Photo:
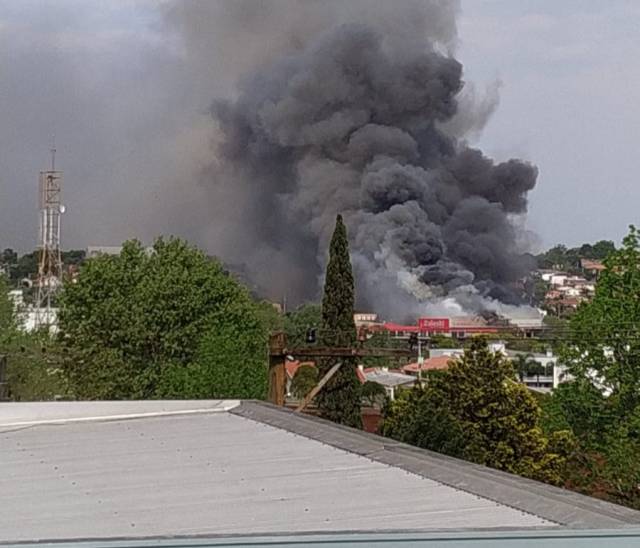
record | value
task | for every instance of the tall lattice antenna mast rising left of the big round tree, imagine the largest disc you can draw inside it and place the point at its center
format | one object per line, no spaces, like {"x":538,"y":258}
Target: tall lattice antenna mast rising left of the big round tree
{"x":50,"y":259}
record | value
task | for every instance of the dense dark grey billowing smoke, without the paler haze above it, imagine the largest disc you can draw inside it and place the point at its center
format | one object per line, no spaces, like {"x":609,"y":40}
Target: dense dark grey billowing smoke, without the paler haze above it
{"x":355,"y":123}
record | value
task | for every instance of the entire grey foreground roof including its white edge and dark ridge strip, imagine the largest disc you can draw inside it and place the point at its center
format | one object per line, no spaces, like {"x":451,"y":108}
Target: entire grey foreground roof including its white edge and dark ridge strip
{"x":82,"y":470}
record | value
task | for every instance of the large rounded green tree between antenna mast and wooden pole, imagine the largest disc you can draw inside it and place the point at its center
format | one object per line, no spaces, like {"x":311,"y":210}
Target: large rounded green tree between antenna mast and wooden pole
{"x":162,"y":323}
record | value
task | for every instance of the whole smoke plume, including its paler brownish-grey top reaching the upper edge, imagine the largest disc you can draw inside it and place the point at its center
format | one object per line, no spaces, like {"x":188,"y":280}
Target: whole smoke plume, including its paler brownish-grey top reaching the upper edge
{"x":358,"y":108}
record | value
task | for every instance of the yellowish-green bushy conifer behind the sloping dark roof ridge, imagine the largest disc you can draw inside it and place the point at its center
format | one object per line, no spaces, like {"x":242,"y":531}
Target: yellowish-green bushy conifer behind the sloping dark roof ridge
{"x":476,"y":410}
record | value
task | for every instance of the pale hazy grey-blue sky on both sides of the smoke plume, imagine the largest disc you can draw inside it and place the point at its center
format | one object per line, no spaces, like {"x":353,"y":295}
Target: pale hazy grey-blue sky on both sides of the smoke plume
{"x":109,"y":79}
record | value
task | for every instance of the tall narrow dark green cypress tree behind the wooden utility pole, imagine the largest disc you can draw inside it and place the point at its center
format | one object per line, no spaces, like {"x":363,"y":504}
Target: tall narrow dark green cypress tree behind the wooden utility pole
{"x":339,"y":400}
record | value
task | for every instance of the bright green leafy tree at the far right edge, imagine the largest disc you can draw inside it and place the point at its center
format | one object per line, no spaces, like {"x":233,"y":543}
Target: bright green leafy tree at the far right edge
{"x":601,"y":405}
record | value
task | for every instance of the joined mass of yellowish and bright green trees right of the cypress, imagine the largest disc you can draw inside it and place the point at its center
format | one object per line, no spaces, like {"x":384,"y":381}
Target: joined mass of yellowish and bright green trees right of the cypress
{"x":584,"y":436}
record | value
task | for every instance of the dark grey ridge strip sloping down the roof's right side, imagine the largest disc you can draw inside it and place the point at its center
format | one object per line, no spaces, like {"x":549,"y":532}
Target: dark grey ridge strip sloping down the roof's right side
{"x":561,"y":506}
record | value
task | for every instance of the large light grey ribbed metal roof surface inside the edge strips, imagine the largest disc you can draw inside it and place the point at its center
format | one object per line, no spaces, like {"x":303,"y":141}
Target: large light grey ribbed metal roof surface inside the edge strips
{"x":214,"y":473}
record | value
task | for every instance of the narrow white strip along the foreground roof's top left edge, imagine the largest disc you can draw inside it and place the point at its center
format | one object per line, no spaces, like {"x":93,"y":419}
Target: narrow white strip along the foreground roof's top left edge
{"x":17,"y":414}
